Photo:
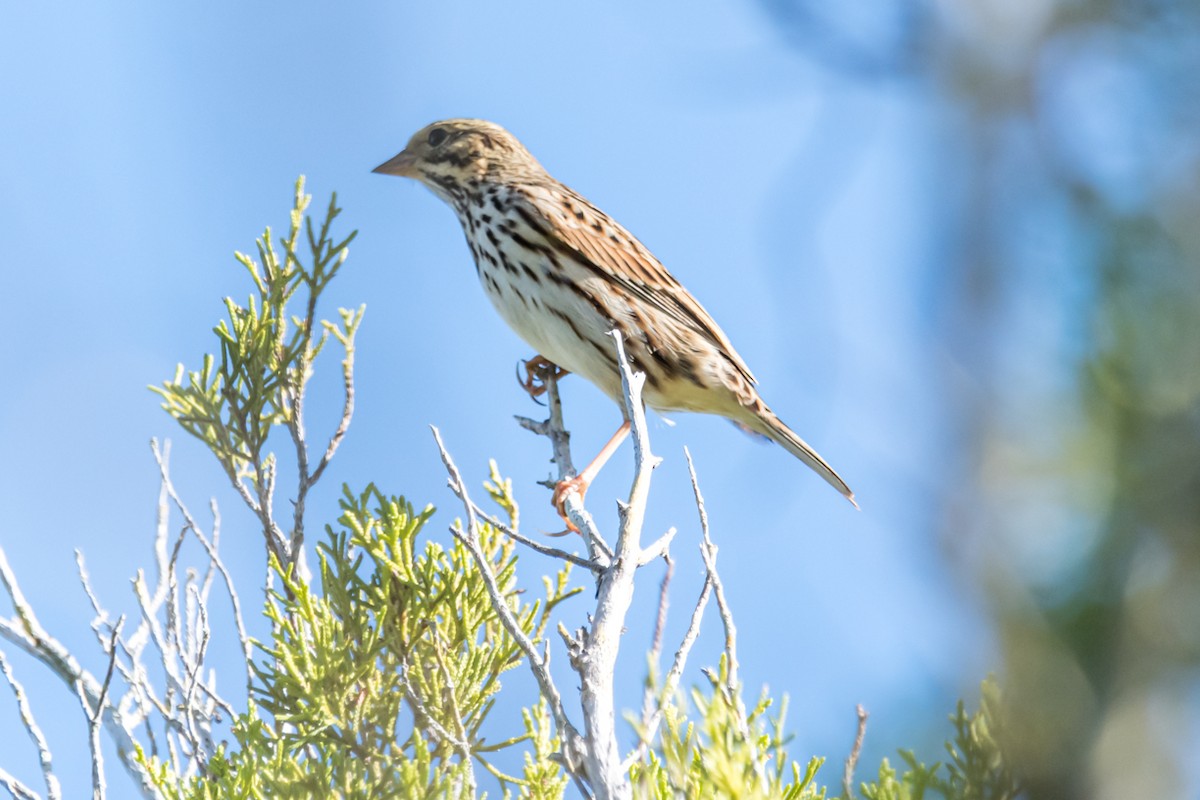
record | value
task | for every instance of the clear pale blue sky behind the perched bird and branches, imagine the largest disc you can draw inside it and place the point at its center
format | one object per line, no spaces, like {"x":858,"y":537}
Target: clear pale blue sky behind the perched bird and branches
{"x":145,"y":146}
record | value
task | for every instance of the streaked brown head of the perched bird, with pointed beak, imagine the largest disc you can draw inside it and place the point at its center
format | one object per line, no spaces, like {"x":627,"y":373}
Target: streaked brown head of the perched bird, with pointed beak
{"x":455,"y":154}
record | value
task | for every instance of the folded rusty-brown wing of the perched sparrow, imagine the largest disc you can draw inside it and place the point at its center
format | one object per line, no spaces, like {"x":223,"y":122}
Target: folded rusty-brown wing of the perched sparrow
{"x":599,"y":244}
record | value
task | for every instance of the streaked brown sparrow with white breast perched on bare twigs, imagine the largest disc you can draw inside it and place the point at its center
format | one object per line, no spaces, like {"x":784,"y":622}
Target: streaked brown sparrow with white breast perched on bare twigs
{"x":563,"y":274}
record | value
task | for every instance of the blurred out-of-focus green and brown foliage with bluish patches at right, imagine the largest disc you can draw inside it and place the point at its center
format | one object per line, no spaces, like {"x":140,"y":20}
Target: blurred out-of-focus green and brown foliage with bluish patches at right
{"x":1063,"y":199}
